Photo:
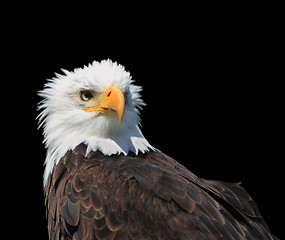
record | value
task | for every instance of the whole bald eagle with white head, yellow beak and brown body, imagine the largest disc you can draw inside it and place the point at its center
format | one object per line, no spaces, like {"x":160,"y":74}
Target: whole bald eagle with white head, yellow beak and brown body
{"x":104,"y":180}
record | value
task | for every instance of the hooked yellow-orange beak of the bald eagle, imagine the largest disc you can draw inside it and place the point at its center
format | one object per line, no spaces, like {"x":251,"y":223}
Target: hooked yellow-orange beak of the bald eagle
{"x":113,"y":100}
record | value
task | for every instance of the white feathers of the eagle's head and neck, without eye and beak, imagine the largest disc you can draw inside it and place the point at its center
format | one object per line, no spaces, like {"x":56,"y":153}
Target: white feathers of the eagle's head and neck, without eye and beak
{"x":66,"y":124}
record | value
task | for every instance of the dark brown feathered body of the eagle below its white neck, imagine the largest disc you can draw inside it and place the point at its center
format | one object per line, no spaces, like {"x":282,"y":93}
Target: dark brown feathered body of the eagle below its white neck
{"x":144,"y":196}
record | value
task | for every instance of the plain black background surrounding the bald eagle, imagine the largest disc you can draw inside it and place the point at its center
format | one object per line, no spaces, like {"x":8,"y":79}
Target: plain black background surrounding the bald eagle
{"x":211,"y":87}
